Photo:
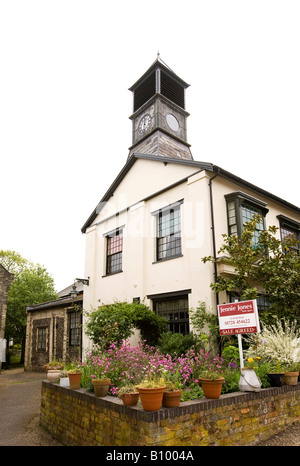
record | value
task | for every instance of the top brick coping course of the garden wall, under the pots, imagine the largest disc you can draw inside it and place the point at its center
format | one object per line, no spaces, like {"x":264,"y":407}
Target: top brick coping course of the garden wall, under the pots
{"x":186,"y":407}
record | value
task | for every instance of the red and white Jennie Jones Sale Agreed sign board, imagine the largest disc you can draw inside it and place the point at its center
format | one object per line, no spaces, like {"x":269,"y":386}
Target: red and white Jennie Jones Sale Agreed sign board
{"x":238,"y":317}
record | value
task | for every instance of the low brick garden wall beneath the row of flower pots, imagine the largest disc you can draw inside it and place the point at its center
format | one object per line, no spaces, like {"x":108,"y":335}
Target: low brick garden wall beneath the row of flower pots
{"x":78,"y":417}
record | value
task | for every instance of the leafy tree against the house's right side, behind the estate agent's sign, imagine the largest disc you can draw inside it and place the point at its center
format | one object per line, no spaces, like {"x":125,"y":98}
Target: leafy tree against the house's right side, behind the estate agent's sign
{"x":270,"y":265}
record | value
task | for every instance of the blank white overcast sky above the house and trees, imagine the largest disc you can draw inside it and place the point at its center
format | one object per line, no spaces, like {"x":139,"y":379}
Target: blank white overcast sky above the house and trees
{"x":66,"y":66}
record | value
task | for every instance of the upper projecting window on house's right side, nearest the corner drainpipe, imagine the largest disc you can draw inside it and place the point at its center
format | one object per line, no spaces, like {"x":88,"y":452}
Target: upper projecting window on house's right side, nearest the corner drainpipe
{"x":240,"y":209}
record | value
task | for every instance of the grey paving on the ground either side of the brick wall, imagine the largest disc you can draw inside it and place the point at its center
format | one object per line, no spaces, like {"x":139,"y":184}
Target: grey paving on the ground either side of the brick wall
{"x":20,"y":397}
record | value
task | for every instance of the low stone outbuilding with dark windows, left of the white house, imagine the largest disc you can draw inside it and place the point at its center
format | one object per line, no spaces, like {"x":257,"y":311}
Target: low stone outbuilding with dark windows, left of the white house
{"x":54,"y":330}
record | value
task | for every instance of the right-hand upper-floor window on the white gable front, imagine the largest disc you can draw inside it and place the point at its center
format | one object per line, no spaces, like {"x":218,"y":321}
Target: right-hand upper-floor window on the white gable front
{"x":168,"y":233}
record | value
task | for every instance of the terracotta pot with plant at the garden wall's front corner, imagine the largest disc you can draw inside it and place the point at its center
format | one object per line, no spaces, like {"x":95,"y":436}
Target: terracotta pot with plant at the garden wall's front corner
{"x":151,"y":392}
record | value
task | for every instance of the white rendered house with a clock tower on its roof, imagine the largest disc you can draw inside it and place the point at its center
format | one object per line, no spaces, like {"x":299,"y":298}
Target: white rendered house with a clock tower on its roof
{"x":165,"y":211}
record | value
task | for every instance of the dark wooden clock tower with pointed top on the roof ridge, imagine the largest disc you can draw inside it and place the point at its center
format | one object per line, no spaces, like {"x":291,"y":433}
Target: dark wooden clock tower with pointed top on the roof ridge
{"x":159,"y":115}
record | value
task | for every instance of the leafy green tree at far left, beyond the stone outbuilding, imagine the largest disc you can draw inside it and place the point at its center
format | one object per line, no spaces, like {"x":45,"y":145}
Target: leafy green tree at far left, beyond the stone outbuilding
{"x":32,"y":285}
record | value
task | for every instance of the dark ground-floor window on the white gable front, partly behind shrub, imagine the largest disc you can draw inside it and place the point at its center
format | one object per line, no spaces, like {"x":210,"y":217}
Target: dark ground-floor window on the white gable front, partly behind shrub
{"x":176,"y":311}
